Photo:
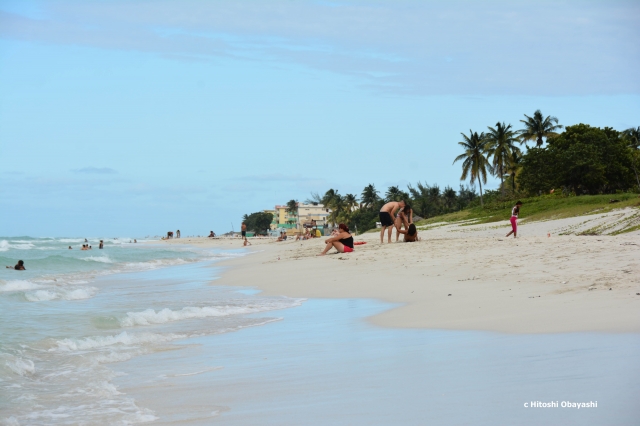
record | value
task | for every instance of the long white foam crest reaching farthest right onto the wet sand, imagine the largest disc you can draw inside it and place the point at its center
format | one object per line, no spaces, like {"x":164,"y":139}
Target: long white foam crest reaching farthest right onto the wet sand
{"x":149,"y":316}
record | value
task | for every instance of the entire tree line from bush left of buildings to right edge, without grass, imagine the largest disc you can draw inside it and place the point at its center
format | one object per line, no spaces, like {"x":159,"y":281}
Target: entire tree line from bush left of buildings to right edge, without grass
{"x":580,"y":160}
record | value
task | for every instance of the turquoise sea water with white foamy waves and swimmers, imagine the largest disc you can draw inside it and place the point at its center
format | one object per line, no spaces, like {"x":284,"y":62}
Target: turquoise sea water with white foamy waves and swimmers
{"x":73,"y":315}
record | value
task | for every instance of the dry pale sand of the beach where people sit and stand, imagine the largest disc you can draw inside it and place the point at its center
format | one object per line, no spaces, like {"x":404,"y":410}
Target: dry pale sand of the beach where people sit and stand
{"x":532,"y":284}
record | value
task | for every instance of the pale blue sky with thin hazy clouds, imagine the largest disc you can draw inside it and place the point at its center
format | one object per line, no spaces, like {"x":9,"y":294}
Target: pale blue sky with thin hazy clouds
{"x":139,"y":117}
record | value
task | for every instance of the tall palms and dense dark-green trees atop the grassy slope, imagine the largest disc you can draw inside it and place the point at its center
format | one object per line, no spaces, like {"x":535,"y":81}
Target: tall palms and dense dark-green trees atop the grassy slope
{"x":580,"y":160}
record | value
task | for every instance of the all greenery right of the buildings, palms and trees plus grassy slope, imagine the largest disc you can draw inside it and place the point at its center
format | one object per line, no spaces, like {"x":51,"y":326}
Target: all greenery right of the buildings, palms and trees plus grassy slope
{"x":578,"y":172}
